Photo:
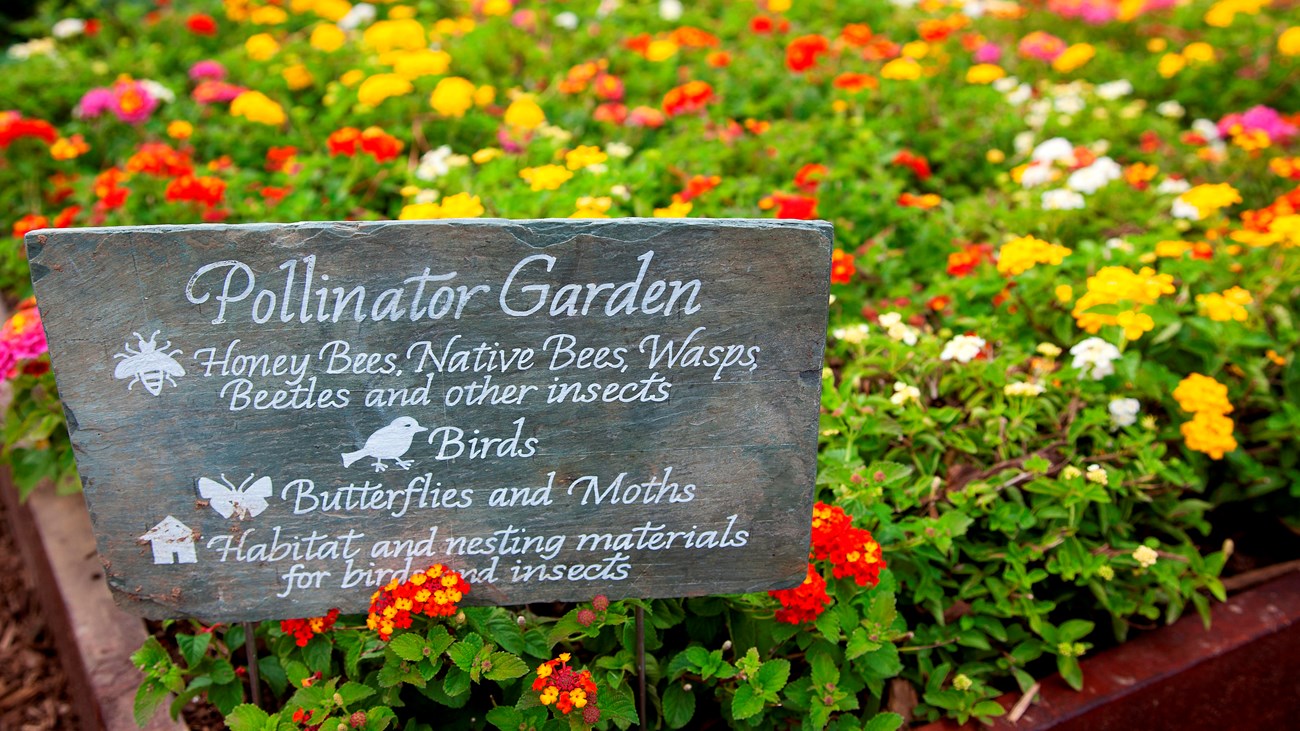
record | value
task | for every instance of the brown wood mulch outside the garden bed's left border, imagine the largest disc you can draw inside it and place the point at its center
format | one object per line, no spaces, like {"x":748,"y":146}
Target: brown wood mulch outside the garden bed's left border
{"x":33,"y":687}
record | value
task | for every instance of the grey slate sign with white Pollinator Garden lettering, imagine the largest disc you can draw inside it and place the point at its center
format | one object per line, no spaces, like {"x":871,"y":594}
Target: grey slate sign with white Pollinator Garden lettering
{"x":274,"y":421}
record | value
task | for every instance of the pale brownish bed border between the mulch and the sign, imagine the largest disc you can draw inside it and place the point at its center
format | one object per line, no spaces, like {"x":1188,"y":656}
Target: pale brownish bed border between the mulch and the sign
{"x":96,"y":639}
